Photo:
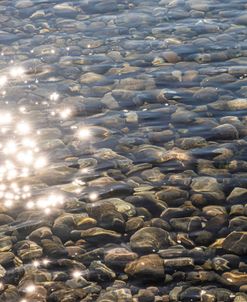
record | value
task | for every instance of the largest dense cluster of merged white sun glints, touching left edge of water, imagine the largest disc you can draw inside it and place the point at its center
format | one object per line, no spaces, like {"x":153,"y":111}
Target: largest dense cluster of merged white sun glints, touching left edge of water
{"x":19,"y":159}
